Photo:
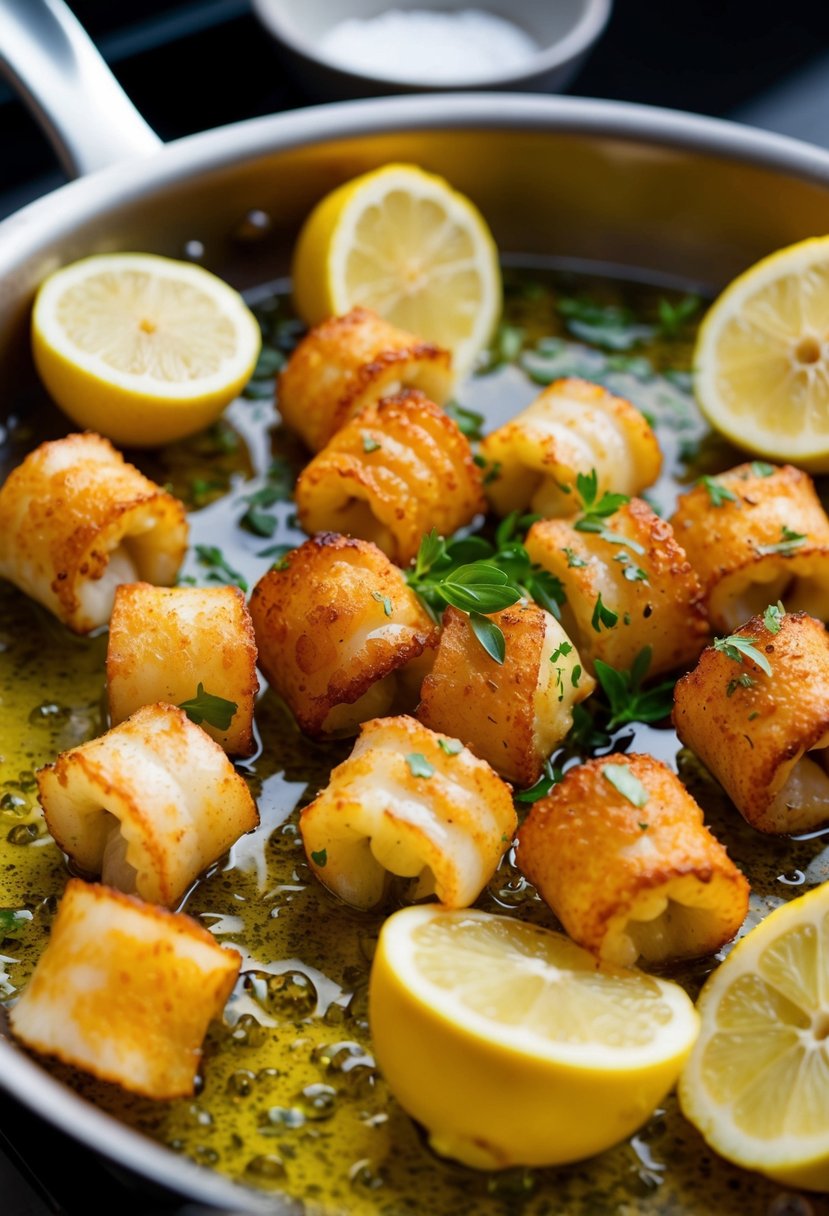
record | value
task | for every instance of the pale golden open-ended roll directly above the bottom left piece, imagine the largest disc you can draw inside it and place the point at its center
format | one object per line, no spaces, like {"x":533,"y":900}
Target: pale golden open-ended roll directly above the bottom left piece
{"x":149,"y":806}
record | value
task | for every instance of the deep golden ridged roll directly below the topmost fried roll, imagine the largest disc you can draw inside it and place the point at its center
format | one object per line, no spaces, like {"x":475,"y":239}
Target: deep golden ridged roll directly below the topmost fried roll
{"x":398,"y":470}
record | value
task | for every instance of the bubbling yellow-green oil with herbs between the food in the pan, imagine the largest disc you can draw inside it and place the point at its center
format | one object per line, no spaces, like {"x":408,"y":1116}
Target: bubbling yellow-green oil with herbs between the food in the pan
{"x":290,"y":1099}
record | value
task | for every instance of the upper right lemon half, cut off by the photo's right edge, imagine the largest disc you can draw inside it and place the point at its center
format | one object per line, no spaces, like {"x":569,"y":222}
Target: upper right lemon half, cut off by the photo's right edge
{"x":763,"y":358}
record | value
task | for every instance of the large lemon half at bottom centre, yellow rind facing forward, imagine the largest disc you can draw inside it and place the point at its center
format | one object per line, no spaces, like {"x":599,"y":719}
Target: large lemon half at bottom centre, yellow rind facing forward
{"x":512,"y":1045}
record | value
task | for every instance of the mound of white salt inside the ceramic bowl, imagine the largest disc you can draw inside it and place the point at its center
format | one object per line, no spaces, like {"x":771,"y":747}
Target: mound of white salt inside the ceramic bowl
{"x":420,"y":47}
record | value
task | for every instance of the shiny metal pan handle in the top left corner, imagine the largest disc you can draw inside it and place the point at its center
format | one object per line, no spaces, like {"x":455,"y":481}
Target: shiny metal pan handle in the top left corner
{"x":53,"y":63}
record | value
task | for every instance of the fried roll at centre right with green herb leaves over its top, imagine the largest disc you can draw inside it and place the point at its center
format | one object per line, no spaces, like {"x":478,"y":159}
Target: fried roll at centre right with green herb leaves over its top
{"x":511,"y":714}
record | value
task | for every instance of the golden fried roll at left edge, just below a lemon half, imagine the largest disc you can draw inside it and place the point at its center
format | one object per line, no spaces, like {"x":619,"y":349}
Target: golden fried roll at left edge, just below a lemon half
{"x":76,"y":521}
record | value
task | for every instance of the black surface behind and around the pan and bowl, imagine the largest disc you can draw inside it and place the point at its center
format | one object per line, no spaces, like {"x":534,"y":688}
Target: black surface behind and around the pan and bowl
{"x":199,"y":64}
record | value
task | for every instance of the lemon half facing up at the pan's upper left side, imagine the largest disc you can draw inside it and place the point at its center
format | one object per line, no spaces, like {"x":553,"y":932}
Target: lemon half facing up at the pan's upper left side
{"x":140,"y":348}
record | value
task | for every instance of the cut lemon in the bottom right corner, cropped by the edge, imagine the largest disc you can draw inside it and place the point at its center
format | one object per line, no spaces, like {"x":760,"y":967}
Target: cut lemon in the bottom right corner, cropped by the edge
{"x":758,"y":1082}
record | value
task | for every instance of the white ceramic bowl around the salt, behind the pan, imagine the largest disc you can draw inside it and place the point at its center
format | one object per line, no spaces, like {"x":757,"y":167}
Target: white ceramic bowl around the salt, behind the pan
{"x":563,"y":30}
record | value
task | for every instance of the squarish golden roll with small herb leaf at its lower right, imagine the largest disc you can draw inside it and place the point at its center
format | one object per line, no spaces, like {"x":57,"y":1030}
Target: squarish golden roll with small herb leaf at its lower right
{"x":166,"y":641}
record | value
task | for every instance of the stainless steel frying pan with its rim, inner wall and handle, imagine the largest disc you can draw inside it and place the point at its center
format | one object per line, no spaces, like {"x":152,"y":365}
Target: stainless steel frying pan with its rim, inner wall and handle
{"x":683,"y":199}
